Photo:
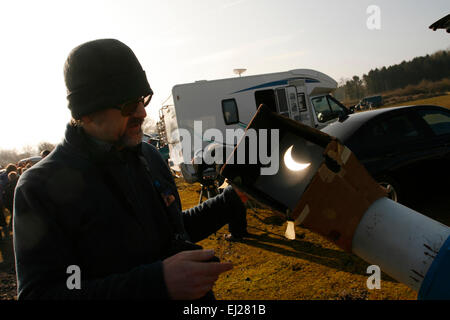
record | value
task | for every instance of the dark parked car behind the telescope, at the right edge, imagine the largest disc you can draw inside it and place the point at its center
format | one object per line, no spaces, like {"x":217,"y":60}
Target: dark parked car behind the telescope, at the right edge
{"x":406,"y":149}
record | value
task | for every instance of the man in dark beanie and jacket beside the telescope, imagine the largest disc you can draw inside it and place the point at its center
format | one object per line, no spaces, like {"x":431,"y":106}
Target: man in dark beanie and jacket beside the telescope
{"x":106,"y":203}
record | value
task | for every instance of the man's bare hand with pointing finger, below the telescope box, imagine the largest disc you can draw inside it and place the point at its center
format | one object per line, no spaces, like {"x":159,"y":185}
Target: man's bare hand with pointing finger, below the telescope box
{"x":188,"y":275}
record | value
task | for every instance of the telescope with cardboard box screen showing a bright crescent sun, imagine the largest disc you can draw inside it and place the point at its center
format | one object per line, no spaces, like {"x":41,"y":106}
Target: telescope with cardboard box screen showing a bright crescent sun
{"x":321,"y":185}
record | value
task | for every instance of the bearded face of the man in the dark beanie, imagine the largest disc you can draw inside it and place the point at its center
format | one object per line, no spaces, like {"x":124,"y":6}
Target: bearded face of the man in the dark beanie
{"x":109,"y":125}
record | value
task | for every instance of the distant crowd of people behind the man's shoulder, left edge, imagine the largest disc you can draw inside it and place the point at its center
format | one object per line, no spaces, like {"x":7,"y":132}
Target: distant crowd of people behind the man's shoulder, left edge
{"x":8,"y":181}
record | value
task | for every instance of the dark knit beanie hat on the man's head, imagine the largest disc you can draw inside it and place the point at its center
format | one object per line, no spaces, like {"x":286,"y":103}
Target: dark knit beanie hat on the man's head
{"x":101,"y":74}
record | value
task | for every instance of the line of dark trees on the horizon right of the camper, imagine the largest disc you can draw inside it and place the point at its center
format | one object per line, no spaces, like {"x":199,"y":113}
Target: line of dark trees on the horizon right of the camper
{"x":429,"y":68}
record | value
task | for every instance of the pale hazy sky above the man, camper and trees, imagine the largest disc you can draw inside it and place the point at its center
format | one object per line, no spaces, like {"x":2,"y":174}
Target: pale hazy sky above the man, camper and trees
{"x":181,"y":41}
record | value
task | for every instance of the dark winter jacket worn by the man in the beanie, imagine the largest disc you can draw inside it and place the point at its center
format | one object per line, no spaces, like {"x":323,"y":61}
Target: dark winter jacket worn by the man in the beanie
{"x":101,"y":210}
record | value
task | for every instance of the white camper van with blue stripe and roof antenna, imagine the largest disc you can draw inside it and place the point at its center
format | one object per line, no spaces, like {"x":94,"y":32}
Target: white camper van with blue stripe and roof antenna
{"x":302,"y":94}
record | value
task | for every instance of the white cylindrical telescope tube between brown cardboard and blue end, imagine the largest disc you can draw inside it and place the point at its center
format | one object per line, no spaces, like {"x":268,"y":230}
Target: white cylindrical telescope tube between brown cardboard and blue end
{"x":401,"y":241}
